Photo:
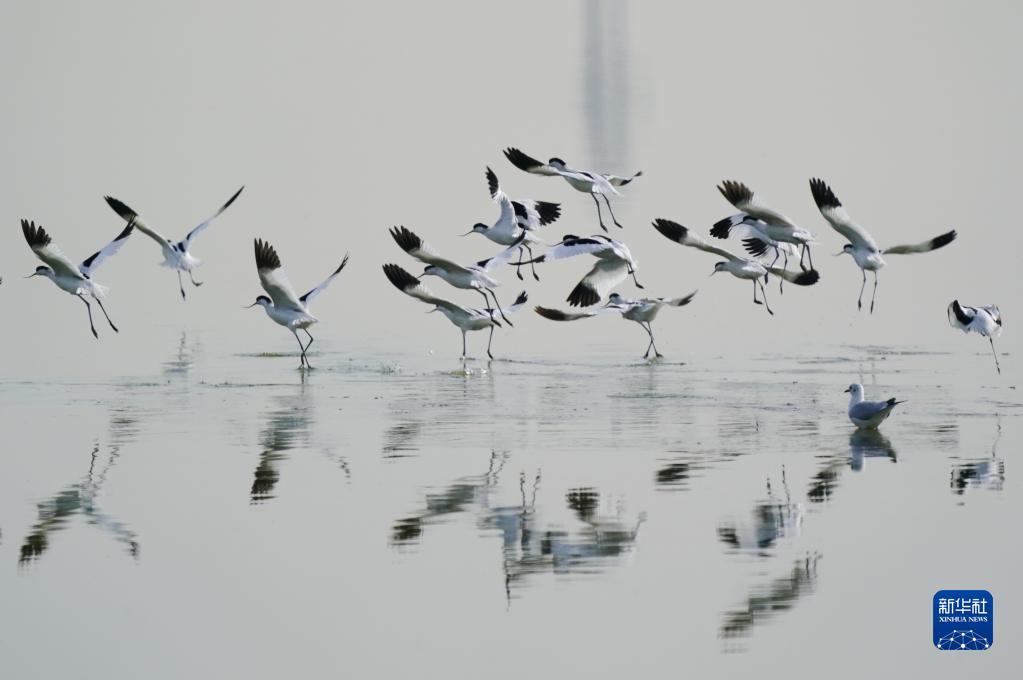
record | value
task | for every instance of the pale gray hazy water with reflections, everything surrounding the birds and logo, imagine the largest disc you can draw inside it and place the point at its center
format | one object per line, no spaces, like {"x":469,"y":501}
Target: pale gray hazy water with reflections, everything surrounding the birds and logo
{"x":275,"y":518}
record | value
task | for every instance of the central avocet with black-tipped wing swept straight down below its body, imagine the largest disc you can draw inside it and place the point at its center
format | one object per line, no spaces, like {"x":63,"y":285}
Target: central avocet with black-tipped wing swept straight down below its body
{"x":614,"y":264}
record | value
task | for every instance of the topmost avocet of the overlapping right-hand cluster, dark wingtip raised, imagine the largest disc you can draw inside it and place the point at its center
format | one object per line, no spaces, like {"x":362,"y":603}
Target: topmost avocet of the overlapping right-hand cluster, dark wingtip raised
{"x":775,"y":228}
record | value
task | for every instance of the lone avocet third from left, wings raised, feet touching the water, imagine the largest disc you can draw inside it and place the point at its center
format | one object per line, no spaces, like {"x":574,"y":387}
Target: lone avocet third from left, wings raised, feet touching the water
{"x":284,"y":306}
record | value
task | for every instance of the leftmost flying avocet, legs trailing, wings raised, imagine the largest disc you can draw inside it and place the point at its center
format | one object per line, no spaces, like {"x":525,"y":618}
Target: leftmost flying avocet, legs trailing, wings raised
{"x":76,"y":280}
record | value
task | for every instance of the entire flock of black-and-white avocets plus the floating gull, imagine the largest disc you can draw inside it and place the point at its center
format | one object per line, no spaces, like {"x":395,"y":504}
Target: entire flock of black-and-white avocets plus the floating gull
{"x":770,"y":240}
